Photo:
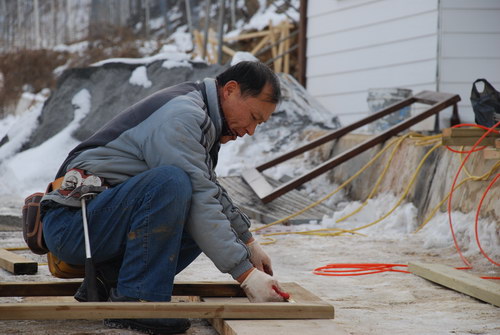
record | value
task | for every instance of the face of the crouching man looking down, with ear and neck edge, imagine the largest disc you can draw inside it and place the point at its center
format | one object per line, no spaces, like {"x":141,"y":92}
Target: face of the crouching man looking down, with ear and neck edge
{"x":244,"y":113}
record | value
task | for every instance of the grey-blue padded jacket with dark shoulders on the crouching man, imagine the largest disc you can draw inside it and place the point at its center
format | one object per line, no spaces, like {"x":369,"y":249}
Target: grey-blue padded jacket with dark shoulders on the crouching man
{"x":179,"y":126}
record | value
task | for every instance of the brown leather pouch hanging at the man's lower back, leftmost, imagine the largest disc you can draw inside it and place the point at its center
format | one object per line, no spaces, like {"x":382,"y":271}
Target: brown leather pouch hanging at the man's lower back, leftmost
{"x":32,"y":224}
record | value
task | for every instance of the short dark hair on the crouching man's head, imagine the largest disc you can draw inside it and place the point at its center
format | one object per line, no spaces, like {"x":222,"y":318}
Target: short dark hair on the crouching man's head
{"x":252,"y":77}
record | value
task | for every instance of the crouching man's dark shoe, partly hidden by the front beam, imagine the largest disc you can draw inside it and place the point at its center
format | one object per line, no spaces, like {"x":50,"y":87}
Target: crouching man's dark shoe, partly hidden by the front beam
{"x":149,"y":326}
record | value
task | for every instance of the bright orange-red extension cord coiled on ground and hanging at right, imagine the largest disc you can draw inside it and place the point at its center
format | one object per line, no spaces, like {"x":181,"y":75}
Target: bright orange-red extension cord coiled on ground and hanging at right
{"x":360,"y":269}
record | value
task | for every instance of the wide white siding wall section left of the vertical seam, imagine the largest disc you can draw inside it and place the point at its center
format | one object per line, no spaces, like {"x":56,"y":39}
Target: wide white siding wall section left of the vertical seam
{"x":355,"y":45}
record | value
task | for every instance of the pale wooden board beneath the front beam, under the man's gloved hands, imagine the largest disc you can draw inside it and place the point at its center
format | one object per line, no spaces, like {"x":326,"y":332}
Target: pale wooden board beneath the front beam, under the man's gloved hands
{"x":278,"y":327}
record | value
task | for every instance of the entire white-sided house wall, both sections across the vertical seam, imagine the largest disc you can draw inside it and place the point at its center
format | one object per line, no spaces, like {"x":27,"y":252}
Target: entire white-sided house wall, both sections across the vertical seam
{"x":438,"y":45}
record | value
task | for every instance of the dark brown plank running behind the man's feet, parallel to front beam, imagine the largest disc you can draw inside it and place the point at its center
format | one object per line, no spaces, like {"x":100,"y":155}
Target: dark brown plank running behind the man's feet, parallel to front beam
{"x":69,"y":287}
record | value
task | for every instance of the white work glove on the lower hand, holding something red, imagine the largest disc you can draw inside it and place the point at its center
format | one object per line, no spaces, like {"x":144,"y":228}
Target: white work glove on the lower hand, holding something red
{"x":261,"y":287}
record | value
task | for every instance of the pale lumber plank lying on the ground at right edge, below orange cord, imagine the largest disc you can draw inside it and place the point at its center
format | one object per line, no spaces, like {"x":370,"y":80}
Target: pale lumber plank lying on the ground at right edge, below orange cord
{"x":457,"y":280}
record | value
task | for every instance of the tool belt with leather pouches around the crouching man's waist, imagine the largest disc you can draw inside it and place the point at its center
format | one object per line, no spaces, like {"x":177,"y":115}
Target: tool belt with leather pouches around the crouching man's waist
{"x":64,"y":191}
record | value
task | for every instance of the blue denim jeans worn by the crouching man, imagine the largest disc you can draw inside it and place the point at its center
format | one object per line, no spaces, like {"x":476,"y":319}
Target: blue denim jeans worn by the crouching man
{"x":141,"y":220}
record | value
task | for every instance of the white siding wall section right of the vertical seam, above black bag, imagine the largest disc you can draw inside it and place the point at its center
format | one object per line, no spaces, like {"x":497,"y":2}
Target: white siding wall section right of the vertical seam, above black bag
{"x":469,"y":48}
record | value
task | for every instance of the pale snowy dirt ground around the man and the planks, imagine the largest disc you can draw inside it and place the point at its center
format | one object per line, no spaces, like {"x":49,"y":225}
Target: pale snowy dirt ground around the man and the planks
{"x":386,"y":303}
